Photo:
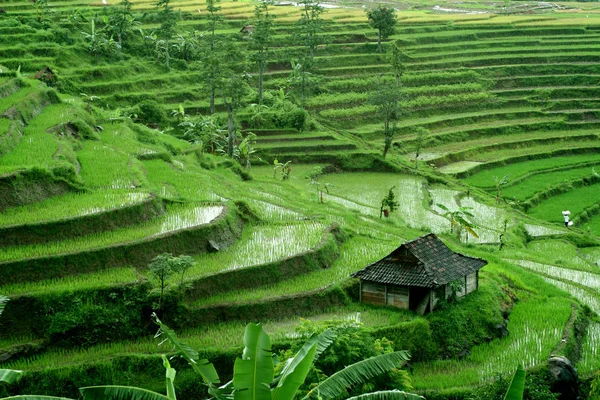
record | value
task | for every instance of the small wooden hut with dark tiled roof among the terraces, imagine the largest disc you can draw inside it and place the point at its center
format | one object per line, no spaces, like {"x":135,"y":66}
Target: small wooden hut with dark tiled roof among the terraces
{"x":418,"y":274}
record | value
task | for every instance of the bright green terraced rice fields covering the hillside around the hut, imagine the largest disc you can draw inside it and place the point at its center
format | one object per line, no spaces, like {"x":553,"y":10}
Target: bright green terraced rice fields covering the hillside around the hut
{"x":511,"y":95}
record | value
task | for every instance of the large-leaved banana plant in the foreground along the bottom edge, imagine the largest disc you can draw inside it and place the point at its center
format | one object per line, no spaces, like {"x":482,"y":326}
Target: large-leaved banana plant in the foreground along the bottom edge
{"x":253,"y":373}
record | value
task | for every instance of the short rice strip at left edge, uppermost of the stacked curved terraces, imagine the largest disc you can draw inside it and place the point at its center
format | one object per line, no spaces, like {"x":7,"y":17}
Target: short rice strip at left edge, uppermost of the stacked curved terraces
{"x":71,"y":205}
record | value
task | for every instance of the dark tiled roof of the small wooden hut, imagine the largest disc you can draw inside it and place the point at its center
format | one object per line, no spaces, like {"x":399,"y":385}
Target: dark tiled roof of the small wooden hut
{"x":433,"y":264}
